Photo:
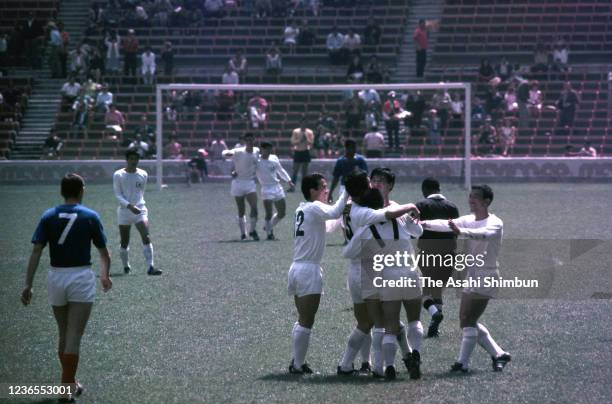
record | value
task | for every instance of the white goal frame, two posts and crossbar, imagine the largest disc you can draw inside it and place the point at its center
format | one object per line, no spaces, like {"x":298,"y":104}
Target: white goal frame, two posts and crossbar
{"x":295,"y":88}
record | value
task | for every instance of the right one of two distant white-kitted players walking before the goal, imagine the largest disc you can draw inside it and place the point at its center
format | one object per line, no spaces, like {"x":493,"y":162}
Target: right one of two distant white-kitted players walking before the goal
{"x":269,"y":173}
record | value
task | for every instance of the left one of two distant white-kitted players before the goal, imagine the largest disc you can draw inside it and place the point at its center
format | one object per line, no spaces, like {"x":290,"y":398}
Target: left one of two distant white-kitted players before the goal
{"x":243,"y":185}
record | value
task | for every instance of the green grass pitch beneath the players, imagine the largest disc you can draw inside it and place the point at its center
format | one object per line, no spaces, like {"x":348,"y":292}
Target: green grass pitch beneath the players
{"x":216,"y":326}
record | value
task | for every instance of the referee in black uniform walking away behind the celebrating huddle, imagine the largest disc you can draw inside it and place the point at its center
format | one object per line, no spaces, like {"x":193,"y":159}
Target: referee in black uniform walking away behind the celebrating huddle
{"x":435,"y":206}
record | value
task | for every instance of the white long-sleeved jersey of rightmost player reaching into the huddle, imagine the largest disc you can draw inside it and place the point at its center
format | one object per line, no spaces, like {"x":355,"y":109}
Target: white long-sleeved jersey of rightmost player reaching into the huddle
{"x":483,"y":236}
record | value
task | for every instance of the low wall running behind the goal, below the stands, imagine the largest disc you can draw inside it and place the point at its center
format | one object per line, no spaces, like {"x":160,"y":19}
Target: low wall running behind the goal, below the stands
{"x":484,"y":169}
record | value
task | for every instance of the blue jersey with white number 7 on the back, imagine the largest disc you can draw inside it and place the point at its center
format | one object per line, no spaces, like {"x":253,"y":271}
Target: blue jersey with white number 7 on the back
{"x":70,"y":230}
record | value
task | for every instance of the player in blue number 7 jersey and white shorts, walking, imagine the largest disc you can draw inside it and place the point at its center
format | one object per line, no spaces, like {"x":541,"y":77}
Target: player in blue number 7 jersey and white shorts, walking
{"x":69,"y":229}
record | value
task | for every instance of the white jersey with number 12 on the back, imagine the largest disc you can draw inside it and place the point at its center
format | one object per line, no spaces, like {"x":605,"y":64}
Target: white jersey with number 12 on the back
{"x":310,"y":218}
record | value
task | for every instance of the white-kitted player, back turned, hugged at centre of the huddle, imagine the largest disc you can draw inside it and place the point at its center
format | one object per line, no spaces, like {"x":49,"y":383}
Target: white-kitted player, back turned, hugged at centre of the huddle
{"x":386,"y":302}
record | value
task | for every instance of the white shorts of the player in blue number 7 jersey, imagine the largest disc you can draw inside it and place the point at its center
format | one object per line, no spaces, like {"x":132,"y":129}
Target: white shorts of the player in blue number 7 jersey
{"x":71,"y":285}
